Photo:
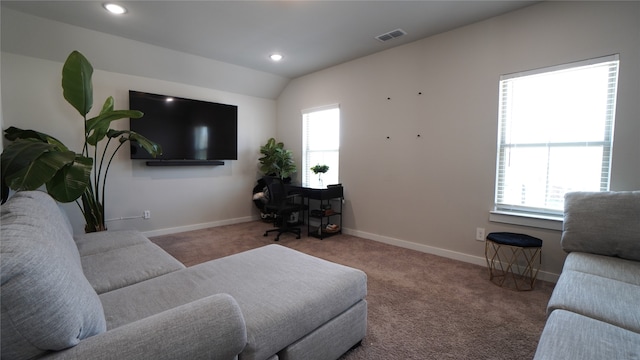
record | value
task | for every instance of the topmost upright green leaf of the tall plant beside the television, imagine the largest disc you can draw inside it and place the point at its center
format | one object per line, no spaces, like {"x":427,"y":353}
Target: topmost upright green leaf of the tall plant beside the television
{"x":76,"y":82}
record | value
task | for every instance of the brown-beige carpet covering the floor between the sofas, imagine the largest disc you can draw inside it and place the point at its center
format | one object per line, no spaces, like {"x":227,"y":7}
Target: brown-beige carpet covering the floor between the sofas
{"x":421,"y":306}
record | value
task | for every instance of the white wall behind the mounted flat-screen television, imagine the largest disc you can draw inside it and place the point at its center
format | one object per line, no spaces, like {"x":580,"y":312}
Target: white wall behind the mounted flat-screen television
{"x":179,"y":198}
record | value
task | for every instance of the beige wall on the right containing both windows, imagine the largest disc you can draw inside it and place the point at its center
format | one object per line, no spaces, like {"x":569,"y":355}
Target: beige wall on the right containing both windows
{"x":431,"y":192}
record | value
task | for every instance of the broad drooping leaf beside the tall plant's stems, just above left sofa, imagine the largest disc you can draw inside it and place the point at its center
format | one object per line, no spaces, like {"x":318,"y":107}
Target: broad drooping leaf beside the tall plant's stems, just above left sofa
{"x":70,"y":182}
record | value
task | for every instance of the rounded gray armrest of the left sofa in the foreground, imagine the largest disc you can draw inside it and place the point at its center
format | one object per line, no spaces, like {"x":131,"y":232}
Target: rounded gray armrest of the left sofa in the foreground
{"x":210,"y":328}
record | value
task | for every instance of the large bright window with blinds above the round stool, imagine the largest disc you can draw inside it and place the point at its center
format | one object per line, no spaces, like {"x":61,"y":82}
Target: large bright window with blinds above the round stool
{"x":555,"y":134}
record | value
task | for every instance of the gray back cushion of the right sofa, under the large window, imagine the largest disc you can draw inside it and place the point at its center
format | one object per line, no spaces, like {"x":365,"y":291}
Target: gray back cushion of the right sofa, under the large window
{"x":604,"y":223}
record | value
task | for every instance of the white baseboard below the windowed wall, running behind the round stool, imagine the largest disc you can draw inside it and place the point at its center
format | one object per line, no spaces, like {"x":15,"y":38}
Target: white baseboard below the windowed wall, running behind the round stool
{"x":472,"y":259}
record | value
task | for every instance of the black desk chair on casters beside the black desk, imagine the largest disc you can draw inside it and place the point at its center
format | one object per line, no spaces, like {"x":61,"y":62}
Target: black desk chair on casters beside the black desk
{"x":281,"y":205}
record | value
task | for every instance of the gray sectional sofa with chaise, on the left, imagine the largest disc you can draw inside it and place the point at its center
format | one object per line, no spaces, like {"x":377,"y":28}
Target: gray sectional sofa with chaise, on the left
{"x":116,"y":295}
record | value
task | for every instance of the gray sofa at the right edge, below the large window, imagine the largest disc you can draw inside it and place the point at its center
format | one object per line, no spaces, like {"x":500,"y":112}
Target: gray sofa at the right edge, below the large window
{"x":594,"y":311}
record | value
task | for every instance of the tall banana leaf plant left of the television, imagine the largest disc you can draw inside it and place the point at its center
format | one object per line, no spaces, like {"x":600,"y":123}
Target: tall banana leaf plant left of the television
{"x":34,"y":159}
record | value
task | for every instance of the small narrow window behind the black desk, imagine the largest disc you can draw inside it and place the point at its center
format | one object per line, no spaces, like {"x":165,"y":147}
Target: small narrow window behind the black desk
{"x":321,"y":145}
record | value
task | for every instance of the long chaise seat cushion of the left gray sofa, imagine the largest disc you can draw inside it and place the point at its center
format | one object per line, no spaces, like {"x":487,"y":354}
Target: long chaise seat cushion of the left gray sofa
{"x":283,"y":294}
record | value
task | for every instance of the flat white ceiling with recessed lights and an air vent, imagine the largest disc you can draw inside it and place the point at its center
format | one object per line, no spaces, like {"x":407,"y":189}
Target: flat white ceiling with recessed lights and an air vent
{"x":311,"y":35}
